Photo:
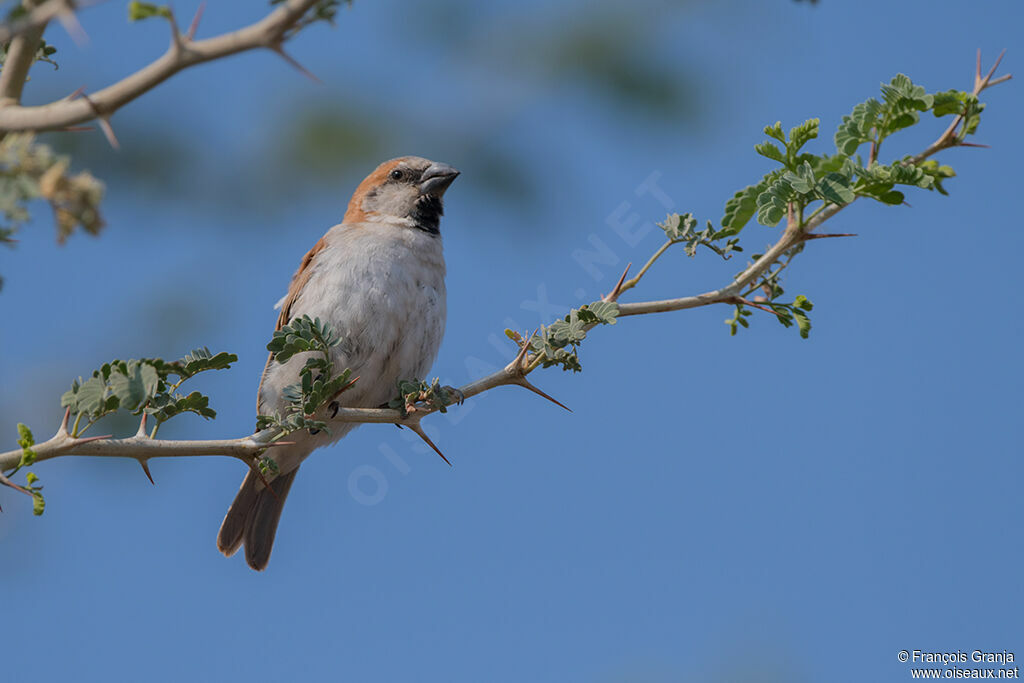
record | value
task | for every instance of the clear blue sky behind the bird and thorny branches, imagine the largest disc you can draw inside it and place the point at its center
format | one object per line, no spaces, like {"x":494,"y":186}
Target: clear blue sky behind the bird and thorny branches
{"x":758,"y":508}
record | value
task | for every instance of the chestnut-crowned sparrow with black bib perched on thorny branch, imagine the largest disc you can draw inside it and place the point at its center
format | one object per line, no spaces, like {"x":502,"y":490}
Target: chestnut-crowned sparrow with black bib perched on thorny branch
{"x":378,"y":279}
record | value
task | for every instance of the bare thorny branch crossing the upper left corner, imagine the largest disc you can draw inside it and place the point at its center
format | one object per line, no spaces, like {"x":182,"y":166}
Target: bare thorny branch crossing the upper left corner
{"x":269,"y":33}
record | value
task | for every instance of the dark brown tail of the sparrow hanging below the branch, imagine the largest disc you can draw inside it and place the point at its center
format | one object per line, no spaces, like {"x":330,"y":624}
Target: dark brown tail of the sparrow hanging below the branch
{"x":253,"y":519}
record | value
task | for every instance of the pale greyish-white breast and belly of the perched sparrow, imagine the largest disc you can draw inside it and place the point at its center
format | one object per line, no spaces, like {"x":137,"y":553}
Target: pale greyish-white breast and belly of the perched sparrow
{"x":381,"y":287}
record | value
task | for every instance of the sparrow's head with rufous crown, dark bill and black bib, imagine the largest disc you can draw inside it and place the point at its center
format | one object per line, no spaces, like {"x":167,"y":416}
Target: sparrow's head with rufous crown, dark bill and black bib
{"x":406,"y":191}
